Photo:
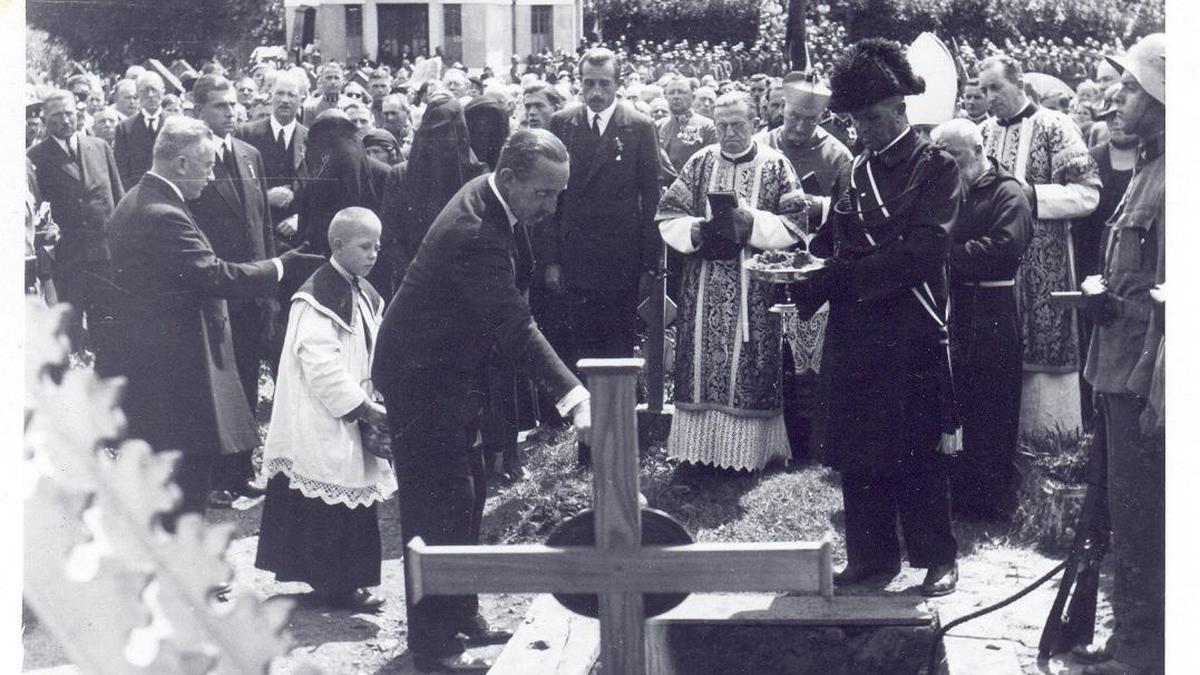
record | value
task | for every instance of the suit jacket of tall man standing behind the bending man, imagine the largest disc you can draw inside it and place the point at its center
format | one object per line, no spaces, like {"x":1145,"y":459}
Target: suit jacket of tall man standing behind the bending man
{"x":604,"y":234}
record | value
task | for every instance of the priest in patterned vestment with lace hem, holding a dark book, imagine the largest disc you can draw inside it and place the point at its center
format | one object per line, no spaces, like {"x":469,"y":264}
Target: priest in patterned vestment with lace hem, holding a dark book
{"x":728,"y":367}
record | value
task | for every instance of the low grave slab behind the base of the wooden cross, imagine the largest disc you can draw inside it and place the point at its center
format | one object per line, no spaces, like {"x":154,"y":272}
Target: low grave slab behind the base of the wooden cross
{"x":746,"y":634}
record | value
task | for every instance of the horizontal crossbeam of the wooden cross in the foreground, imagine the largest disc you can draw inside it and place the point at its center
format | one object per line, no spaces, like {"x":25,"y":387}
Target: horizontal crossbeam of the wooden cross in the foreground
{"x":735,"y":568}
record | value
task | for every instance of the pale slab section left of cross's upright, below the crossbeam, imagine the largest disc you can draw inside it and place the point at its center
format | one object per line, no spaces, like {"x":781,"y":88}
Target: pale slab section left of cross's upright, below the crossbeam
{"x":553,"y":641}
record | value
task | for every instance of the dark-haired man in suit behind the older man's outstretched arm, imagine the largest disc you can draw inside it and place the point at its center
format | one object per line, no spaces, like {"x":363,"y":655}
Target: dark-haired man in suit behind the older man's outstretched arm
{"x":232,"y":212}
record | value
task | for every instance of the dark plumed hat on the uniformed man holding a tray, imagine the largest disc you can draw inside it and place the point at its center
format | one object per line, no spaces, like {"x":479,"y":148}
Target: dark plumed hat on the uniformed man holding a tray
{"x":871,"y":71}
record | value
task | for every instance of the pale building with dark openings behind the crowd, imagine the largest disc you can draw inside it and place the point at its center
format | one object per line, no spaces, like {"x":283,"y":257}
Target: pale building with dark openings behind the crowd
{"x":477,"y":33}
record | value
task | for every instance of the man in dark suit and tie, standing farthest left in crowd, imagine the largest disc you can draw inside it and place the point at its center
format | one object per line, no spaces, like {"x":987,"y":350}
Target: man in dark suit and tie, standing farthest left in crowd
{"x":79,"y":177}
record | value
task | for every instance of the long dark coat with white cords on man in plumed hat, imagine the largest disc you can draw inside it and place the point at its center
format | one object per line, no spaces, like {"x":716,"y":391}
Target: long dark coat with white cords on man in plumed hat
{"x":885,"y":372}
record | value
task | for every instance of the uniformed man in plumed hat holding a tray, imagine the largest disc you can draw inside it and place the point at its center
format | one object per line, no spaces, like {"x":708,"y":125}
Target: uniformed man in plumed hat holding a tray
{"x":887,"y":419}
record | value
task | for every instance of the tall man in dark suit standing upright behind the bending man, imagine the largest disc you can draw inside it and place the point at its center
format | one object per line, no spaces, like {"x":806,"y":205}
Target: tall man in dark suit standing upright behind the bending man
{"x":603,"y":247}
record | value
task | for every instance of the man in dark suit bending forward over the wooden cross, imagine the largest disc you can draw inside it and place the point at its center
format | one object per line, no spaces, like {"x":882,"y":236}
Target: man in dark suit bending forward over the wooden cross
{"x":458,"y":310}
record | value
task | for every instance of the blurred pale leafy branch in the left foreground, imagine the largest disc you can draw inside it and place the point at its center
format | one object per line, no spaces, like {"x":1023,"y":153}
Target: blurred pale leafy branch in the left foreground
{"x":118,"y":592}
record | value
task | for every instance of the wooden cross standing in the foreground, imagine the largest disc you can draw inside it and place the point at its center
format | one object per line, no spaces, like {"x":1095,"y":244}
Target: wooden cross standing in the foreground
{"x":619,"y":568}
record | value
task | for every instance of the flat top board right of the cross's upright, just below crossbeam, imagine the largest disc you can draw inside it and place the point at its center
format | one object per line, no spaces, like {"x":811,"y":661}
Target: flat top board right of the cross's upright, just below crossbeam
{"x":842,"y":611}
